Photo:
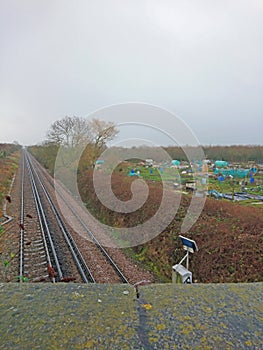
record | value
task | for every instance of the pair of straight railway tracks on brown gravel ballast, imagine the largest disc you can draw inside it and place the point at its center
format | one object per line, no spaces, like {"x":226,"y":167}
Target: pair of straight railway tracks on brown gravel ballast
{"x":48,"y":250}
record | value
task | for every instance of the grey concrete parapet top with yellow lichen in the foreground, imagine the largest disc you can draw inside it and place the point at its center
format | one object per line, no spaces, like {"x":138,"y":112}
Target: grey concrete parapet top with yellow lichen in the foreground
{"x":166,"y":316}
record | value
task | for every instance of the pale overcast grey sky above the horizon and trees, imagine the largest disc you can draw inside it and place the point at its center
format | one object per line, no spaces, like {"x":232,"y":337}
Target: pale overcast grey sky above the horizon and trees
{"x":200,"y":59}
